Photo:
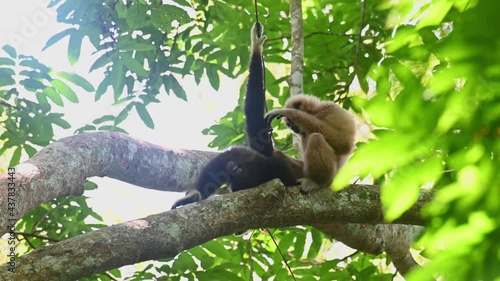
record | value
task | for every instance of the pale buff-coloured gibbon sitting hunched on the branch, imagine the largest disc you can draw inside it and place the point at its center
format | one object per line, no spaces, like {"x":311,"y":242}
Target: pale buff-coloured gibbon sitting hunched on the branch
{"x":327,"y":137}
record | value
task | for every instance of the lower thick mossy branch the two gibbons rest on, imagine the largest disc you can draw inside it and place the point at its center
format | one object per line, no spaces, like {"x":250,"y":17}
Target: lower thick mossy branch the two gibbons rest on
{"x":165,"y":235}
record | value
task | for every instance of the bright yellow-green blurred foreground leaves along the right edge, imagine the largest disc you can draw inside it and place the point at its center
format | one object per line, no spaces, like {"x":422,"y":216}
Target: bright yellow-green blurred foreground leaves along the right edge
{"x":438,"y":92}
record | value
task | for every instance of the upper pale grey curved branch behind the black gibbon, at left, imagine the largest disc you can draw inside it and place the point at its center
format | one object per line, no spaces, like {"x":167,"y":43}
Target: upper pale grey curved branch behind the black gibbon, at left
{"x":61,"y":168}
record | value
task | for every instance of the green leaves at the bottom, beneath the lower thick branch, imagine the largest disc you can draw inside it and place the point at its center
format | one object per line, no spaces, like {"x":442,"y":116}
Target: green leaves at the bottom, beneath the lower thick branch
{"x":256,"y":256}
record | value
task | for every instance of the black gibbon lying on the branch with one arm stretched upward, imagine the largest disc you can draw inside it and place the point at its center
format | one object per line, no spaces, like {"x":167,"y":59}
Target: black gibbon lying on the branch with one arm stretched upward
{"x":246,"y":167}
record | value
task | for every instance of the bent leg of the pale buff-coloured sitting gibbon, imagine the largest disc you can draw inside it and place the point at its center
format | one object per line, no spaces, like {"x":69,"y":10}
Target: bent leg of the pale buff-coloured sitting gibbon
{"x":319,"y":163}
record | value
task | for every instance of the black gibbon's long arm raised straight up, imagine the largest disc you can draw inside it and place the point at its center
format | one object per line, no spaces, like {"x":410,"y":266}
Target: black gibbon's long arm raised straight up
{"x":258,"y":131}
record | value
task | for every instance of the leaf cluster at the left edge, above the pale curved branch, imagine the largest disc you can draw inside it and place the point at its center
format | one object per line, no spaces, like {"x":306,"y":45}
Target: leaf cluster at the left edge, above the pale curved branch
{"x":28,"y":91}
